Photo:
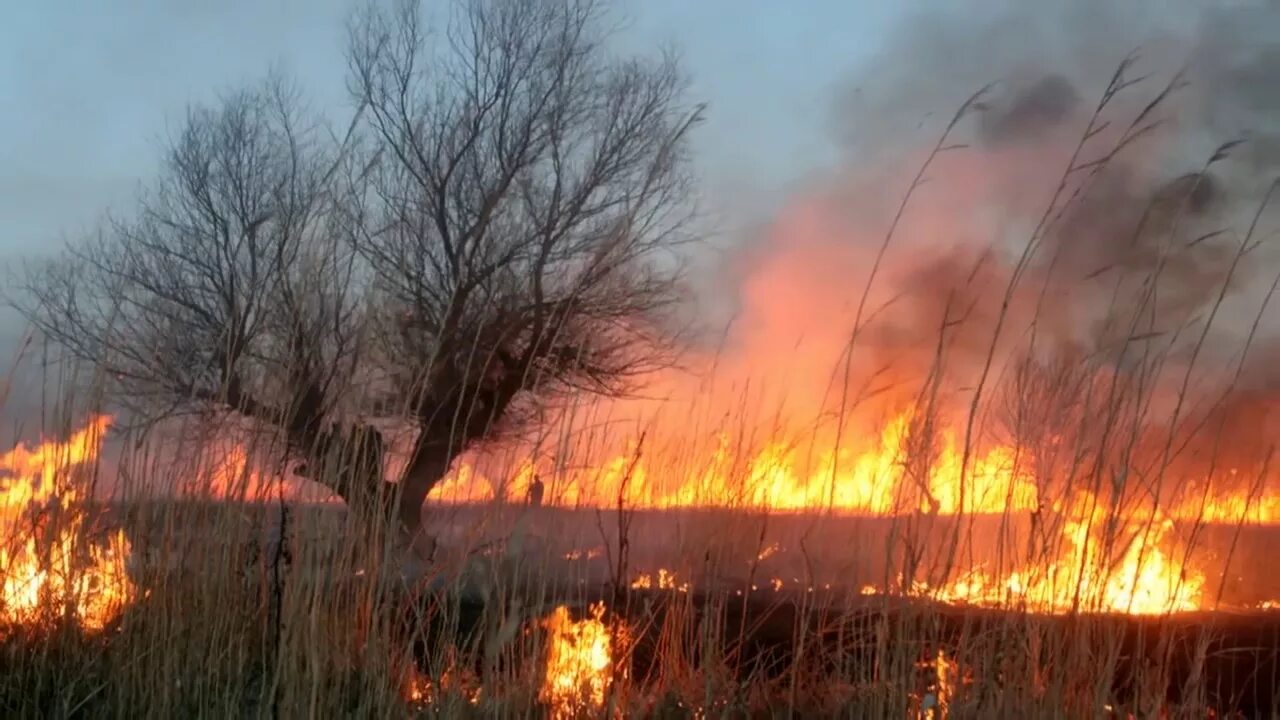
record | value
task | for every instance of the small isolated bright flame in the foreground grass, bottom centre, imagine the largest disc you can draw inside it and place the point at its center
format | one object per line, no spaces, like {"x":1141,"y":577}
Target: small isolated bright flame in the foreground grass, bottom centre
{"x":579,"y":668}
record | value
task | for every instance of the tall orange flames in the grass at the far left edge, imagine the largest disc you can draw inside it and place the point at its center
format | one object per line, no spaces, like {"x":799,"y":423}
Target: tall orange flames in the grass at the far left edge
{"x":48,"y":564}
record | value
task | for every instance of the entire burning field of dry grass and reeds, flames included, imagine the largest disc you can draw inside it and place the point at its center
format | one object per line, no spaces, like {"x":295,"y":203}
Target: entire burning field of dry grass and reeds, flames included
{"x":1064,"y":540}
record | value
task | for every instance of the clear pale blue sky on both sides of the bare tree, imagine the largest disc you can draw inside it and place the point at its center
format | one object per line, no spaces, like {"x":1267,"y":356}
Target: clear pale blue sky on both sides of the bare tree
{"x":89,"y":89}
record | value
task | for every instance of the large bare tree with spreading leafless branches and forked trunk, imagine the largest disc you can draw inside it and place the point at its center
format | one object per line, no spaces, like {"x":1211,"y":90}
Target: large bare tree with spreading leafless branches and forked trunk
{"x":499,"y":229}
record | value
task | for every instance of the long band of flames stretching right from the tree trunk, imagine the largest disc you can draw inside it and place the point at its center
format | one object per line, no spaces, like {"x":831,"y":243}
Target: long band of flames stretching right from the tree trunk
{"x":1117,"y":550}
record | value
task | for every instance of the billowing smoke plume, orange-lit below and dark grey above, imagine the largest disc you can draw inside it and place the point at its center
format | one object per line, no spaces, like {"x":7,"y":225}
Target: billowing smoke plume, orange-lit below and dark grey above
{"x":1000,"y":235}
